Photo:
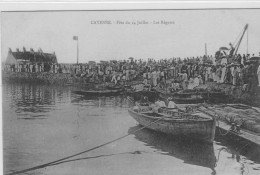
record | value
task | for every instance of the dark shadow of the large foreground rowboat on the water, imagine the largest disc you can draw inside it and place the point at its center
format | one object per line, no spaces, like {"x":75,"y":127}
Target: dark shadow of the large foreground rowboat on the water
{"x":190,"y":151}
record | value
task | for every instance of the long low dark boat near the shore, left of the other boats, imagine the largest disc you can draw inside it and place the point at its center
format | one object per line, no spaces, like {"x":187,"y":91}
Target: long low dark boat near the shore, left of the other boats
{"x":102,"y":92}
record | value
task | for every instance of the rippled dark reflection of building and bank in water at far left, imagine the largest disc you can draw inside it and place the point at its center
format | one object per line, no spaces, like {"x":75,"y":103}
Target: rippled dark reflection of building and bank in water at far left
{"x":31,"y":101}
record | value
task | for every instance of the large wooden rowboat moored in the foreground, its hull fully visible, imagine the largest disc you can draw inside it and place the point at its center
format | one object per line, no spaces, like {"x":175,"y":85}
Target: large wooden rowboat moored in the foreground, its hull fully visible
{"x":197,"y":126}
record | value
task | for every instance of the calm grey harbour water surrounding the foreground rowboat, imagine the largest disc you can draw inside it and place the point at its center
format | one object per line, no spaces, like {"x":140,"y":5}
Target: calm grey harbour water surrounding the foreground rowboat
{"x":44,"y":123}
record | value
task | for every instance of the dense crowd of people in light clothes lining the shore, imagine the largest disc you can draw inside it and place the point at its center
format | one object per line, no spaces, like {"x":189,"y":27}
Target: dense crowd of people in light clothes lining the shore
{"x":185,"y":73}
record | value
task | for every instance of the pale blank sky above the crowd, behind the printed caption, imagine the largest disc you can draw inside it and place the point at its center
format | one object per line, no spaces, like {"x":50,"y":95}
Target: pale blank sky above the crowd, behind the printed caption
{"x":54,"y":31}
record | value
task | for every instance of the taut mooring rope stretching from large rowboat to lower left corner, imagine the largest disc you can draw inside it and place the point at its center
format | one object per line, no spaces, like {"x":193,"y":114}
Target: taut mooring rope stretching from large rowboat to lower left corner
{"x":91,"y":149}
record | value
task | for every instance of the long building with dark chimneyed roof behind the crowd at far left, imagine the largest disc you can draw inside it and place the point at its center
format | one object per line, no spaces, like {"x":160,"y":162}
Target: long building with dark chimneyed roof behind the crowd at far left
{"x":30,"y":57}
